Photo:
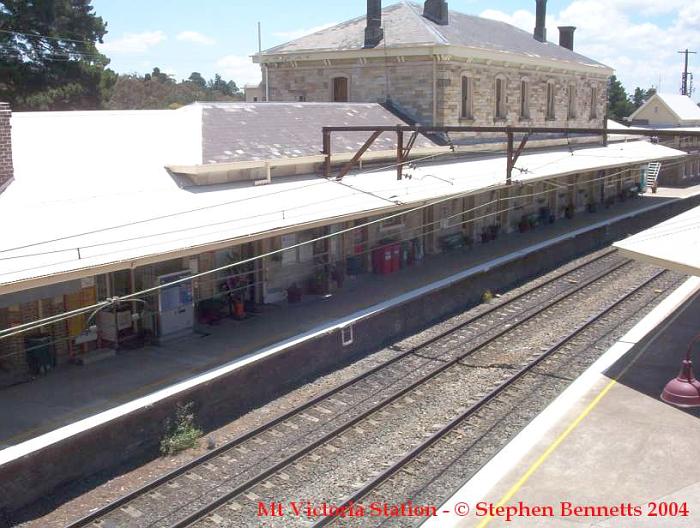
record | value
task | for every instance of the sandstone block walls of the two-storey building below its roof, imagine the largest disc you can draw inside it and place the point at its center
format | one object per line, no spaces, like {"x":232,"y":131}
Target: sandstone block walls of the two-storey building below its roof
{"x":410,"y":84}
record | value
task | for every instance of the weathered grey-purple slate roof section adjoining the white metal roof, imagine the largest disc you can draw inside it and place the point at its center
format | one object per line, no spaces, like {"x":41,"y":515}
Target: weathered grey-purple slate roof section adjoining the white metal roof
{"x":267,"y":131}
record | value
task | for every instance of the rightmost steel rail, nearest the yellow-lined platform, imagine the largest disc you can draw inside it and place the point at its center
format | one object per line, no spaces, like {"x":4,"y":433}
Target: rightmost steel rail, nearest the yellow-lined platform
{"x":406,"y":459}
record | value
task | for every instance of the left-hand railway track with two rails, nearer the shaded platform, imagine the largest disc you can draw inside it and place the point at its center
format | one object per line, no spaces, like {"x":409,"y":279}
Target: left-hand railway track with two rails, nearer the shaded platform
{"x":196,"y":493}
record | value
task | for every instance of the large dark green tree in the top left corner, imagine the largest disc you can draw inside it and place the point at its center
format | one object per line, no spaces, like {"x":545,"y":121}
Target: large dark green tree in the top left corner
{"x":49,"y":55}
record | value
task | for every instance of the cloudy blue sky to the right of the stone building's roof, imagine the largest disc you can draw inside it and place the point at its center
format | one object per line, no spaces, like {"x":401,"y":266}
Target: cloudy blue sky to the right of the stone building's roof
{"x":631,"y":36}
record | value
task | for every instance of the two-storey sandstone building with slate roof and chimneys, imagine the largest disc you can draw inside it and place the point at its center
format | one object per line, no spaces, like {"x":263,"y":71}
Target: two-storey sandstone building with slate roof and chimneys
{"x":442,"y":67}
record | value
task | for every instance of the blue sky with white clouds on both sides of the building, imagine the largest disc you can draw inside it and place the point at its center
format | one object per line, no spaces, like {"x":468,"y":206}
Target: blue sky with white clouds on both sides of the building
{"x":638,"y":38}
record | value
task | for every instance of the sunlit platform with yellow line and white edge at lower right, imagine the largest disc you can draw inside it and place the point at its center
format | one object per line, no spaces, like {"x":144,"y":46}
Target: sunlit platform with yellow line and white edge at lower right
{"x":607,"y":443}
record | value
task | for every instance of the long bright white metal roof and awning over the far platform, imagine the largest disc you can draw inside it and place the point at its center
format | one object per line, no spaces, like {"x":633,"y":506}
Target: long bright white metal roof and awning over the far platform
{"x":93,"y":201}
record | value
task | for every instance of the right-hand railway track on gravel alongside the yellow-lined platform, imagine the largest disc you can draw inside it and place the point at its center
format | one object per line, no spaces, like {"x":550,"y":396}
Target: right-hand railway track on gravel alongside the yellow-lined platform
{"x":466,"y":443}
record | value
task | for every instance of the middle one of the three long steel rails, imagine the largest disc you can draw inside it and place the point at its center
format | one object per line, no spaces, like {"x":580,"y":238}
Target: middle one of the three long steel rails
{"x":214,"y":505}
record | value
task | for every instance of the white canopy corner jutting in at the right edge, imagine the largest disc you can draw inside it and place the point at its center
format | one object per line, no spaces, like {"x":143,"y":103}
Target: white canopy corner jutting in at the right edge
{"x":674,"y":244}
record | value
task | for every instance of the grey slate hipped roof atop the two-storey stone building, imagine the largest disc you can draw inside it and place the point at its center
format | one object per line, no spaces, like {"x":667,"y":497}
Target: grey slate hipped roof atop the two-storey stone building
{"x":405,"y":26}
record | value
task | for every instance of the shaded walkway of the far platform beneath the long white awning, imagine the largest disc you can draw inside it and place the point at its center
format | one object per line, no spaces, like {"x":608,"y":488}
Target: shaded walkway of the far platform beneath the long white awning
{"x":71,"y":393}
